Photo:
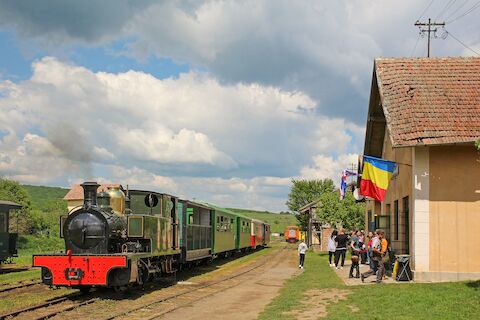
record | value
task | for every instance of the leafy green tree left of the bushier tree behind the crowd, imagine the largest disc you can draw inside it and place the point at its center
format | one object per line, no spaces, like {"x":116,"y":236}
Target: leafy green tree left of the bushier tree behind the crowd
{"x":305,"y":191}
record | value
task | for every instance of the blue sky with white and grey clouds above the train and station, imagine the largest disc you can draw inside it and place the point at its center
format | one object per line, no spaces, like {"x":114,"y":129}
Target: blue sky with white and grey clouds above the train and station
{"x":221,"y":101}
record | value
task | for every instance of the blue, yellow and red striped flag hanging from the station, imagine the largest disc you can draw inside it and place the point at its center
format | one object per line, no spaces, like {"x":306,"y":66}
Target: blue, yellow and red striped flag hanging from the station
{"x":375,"y":177}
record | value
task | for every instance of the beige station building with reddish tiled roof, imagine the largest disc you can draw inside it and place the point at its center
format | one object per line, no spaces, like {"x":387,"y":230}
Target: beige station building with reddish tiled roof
{"x":424,"y":114}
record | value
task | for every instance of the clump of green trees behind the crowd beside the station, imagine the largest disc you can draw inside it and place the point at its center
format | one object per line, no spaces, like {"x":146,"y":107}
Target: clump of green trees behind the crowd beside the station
{"x":331,"y":210}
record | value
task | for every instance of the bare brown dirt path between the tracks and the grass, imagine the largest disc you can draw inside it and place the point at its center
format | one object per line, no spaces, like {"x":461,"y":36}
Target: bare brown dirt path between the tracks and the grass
{"x":248,"y":299}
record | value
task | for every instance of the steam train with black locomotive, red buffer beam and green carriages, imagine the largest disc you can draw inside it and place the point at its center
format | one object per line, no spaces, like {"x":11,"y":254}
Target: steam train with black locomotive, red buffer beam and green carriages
{"x":116,"y":240}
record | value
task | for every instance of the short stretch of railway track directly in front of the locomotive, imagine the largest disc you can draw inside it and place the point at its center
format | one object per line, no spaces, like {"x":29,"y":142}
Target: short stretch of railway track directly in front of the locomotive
{"x":49,"y":308}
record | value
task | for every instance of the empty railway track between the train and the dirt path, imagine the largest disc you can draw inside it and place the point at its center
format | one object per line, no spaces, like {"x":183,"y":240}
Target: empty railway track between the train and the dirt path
{"x":177,"y":300}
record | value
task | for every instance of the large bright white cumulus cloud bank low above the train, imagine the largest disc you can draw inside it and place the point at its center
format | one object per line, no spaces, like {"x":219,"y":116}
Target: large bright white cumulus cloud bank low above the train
{"x":192,"y":136}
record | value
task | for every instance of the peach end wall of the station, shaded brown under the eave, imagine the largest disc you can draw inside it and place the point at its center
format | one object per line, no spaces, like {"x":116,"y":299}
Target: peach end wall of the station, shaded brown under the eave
{"x":454,"y":220}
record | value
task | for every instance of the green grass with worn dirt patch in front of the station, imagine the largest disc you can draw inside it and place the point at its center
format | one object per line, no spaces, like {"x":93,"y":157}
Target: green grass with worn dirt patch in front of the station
{"x":318,"y":292}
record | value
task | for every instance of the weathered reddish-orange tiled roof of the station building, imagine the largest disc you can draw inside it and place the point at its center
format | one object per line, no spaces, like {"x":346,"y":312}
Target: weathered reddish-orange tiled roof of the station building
{"x":430,"y":100}
